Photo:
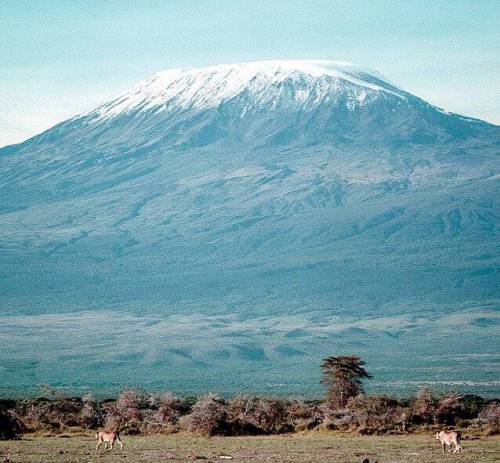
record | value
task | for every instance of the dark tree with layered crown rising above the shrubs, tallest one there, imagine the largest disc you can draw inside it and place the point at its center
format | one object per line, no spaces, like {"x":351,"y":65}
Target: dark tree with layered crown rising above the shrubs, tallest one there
{"x":343,"y":376}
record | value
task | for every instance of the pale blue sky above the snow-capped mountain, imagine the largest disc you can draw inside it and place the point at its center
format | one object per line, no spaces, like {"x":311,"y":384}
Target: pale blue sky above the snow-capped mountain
{"x":62,"y":57}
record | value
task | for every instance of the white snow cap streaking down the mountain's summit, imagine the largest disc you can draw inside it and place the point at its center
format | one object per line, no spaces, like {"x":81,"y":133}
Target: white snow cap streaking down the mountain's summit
{"x":265,"y":81}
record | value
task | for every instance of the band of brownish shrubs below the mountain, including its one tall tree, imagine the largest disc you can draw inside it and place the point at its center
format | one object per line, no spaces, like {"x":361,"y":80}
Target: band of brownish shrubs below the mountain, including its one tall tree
{"x":346,"y":409}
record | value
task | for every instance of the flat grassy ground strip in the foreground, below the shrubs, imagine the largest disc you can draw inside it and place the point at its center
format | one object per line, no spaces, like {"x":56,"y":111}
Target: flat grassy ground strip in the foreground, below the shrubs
{"x":312,"y":447}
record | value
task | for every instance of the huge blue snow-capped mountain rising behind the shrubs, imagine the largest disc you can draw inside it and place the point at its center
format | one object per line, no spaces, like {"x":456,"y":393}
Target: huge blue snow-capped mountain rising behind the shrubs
{"x":227,"y":227}
